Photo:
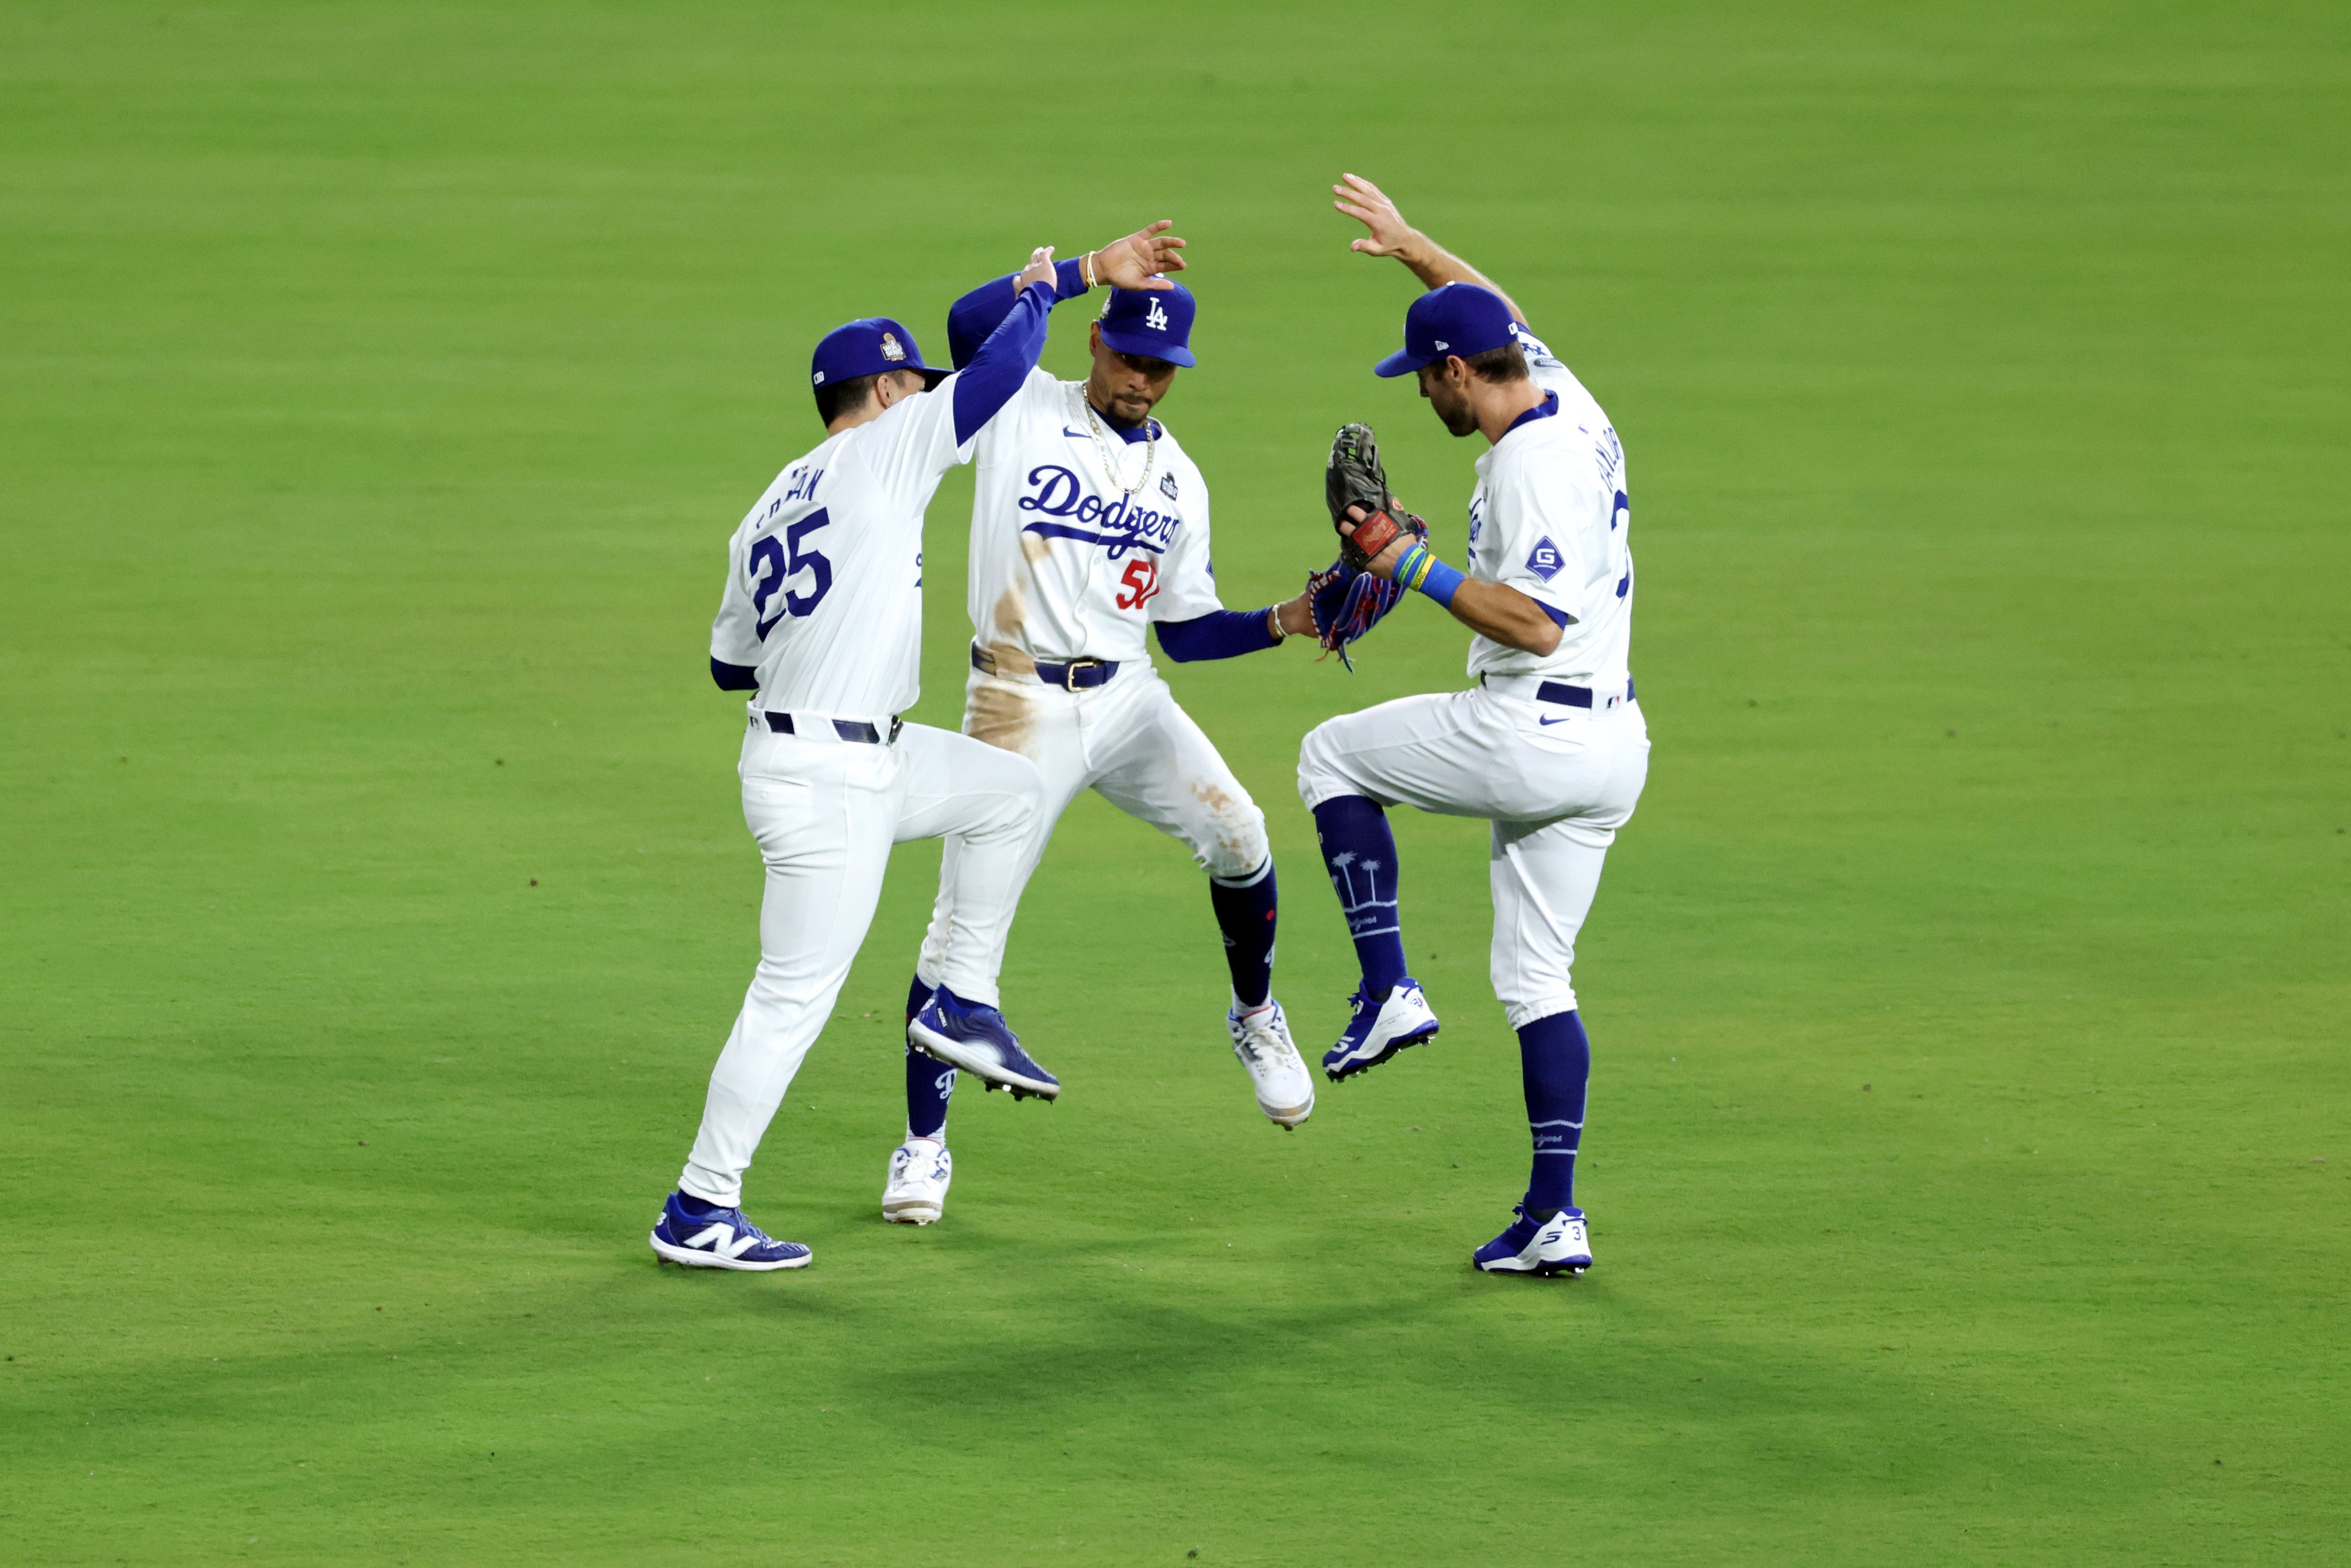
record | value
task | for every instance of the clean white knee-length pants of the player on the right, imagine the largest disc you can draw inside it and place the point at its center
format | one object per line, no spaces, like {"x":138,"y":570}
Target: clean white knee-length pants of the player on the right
{"x":1555,"y":784}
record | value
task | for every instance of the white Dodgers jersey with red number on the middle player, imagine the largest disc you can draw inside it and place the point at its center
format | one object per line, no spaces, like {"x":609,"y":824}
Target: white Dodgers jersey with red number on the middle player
{"x":1064,"y":565}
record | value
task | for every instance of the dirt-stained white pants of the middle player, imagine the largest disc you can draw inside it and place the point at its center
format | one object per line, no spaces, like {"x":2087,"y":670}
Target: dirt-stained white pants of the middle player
{"x":1125,"y":739}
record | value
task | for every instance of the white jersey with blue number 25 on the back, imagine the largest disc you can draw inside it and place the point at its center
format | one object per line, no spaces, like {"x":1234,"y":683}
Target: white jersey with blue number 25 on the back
{"x":824,"y":577}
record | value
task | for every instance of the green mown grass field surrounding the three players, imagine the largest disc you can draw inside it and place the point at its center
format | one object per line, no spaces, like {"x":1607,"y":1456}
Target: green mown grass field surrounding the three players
{"x":1969,"y":1139}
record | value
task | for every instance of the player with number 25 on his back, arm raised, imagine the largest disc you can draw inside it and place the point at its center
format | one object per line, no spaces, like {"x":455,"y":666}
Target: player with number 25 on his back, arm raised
{"x":822,"y":619}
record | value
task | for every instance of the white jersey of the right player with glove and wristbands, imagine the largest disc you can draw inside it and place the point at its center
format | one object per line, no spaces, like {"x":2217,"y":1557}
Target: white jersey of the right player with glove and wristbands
{"x":1550,"y":516}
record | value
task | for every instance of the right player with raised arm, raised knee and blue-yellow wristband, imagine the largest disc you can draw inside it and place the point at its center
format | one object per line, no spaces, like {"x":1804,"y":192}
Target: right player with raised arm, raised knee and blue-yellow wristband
{"x":1548,"y":746}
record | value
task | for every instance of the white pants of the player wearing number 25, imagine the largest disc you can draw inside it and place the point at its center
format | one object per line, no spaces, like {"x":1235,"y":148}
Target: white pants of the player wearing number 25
{"x":826,"y":815}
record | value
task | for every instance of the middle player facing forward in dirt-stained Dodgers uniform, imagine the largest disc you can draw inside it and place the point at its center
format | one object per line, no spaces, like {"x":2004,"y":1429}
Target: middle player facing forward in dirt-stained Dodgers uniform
{"x":1092,"y":525}
